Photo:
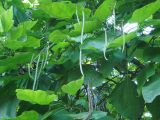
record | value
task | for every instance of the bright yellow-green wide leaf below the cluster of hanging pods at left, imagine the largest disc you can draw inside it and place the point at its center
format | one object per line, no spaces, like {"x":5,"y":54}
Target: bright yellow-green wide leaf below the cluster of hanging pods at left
{"x":35,"y":97}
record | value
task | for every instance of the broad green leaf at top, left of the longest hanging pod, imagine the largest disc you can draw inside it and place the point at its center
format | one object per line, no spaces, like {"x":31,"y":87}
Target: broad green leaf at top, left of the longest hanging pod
{"x":60,"y":10}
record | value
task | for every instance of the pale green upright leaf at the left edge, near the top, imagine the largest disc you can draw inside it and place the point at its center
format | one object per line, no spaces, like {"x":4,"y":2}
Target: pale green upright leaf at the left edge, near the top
{"x":6,"y":20}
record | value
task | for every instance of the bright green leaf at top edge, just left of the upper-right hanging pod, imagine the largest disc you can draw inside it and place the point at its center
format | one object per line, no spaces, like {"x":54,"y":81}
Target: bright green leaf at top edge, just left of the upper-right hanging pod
{"x":104,"y":10}
